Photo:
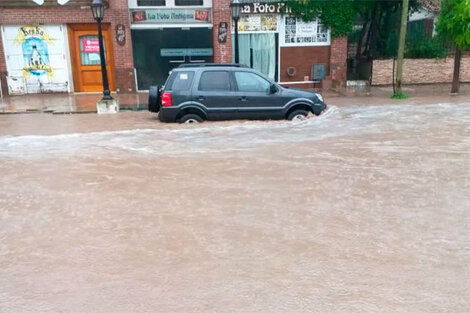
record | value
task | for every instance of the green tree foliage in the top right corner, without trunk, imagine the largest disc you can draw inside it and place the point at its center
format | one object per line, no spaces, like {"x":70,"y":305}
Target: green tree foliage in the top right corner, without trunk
{"x":454,"y":22}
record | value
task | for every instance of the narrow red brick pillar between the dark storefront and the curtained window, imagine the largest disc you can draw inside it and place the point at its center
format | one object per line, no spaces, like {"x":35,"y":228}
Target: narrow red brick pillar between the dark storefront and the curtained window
{"x":222,"y":52}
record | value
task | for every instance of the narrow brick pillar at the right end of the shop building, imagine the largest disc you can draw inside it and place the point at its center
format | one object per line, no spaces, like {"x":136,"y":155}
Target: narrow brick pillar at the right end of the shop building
{"x":338,"y":61}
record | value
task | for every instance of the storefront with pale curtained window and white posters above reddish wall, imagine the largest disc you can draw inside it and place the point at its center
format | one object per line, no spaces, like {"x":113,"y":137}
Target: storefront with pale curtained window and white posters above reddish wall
{"x":283,"y":47}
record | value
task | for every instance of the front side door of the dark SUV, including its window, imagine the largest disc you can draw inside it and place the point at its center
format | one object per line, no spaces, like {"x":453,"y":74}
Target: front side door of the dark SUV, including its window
{"x":254,"y":97}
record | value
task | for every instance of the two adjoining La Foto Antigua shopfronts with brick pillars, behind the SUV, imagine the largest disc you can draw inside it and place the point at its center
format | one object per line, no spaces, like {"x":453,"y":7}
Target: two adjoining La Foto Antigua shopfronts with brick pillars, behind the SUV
{"x":166,"y":33}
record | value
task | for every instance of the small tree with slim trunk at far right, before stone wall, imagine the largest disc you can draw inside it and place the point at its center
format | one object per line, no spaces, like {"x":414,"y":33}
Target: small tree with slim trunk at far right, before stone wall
{"x":454,"y":23}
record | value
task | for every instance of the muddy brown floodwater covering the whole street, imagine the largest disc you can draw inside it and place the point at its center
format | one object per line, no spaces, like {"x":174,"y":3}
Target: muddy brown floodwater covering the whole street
{"x":364,"y":209}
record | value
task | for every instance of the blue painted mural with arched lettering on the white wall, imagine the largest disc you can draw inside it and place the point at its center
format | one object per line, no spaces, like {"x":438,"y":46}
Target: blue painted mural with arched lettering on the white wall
{"x":34,"y":42}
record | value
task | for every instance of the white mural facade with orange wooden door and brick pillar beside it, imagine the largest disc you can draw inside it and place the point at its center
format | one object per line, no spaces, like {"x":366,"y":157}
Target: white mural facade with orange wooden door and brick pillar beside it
{"x":54,"y":48}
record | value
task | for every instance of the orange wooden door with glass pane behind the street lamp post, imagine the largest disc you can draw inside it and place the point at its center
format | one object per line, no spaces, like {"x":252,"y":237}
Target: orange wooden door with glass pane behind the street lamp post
{"x":86,"y":60}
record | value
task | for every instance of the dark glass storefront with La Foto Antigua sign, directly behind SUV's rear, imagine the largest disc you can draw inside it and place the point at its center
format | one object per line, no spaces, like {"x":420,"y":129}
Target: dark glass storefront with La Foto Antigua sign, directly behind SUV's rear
{"x":167,"y":33}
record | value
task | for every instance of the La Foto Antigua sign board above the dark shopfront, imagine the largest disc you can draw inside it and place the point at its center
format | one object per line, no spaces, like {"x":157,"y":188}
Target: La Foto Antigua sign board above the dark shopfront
{"x":164,"y":16}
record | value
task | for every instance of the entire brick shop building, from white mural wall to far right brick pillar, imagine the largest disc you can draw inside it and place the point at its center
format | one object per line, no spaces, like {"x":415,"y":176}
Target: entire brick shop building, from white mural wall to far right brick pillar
{"x":53,"y":48}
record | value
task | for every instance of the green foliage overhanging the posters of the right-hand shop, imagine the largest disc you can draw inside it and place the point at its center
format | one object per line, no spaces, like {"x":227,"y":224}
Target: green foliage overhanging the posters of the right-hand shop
{"x":339,"y":15}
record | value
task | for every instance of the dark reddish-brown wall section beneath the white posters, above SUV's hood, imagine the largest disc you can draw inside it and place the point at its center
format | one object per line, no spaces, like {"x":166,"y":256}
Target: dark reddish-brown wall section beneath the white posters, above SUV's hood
{"x":302,"y":58}
